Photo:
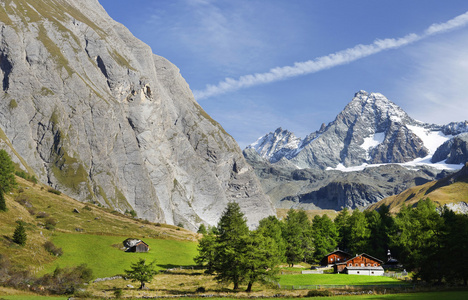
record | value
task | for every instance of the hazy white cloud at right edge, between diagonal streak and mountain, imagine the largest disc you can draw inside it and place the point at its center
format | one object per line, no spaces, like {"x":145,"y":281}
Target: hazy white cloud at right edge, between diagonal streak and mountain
{"x":437,"y":90}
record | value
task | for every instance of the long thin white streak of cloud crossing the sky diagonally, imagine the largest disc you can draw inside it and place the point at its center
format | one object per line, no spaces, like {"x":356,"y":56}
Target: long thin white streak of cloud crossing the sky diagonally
{"x":326,"y":62}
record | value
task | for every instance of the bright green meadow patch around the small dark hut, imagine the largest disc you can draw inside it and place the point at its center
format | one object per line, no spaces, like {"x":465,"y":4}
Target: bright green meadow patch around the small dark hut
{"x":102,"y":253}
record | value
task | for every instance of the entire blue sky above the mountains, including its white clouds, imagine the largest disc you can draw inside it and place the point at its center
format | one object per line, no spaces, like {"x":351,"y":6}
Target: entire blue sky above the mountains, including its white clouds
{"x":311,"y":56}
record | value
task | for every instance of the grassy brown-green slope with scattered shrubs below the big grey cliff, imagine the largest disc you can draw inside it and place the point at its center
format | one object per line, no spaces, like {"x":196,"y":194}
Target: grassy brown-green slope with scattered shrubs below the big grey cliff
{"x":93,"y":227}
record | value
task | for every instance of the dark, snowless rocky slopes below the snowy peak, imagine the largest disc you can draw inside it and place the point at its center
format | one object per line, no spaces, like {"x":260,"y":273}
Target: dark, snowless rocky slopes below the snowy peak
{"x":289,"y":187}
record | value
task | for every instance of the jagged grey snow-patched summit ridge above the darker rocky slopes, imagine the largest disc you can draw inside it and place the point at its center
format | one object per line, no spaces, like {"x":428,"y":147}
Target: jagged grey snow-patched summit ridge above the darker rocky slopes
{"x":370,"y":130}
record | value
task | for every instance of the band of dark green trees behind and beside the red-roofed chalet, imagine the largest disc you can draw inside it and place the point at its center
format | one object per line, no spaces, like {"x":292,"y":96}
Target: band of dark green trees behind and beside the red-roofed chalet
{"x":431,"y":242}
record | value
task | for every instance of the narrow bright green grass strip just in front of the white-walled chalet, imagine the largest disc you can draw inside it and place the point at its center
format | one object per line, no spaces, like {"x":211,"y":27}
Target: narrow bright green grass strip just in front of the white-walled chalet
{"x":335,"y":279}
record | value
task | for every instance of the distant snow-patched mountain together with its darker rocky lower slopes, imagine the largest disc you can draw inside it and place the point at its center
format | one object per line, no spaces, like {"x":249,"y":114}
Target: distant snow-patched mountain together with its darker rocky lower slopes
{"x":372,"y":150}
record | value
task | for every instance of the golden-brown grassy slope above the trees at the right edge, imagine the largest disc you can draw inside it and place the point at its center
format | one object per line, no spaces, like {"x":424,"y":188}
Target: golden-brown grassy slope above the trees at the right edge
{"x":452,"y":190}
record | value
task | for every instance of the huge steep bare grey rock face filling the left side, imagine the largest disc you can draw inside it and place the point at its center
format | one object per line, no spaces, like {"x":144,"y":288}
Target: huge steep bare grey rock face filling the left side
{"x":94,"y":113}
